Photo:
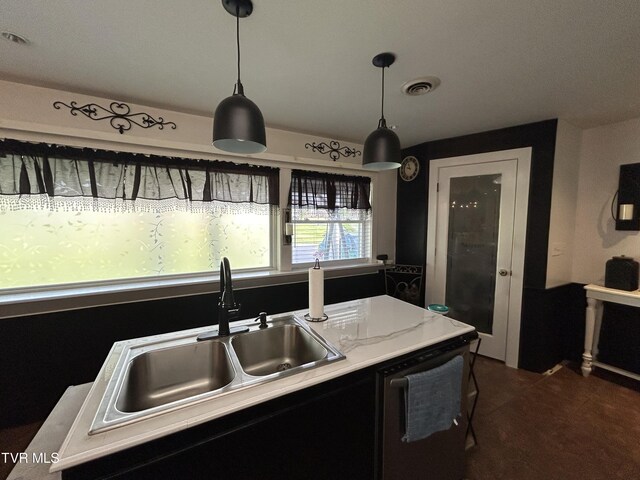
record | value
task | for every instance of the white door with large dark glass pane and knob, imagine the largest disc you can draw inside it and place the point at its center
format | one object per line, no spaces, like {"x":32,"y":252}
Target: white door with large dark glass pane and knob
{"x":473,"y":247}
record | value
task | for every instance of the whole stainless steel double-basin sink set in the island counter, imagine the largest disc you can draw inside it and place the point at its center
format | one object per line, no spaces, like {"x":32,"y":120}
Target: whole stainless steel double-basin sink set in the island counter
{"x":156,"y":375}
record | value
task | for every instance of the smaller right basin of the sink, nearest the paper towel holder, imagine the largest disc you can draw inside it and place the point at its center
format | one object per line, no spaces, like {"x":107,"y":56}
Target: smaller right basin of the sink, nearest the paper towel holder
{"x":276,"y":349}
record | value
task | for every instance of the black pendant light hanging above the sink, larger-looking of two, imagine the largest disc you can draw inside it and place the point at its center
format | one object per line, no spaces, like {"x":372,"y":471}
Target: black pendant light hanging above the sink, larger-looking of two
{"x":238,"y":125}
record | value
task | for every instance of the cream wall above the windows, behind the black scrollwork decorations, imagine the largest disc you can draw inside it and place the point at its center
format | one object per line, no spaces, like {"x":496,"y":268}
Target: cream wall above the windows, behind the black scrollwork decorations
{"x":27,"y":113}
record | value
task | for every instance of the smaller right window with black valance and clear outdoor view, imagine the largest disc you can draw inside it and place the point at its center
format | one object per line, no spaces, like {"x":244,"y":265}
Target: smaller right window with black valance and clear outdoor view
{"x":331,"y":216}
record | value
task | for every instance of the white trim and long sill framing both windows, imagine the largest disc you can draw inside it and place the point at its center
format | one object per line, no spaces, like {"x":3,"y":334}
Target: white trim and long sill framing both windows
{"x":21,"y":301}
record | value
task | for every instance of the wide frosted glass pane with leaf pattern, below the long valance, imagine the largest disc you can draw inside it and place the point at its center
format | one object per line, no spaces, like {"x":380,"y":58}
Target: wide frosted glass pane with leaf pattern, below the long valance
{"x":41,"y":247}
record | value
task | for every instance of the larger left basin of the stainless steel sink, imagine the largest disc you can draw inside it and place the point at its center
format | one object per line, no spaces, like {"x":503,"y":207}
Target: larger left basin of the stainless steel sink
{"x":167,"y":375}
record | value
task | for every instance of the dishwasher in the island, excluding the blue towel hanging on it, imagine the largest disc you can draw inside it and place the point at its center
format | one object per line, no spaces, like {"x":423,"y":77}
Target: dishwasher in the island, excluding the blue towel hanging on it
{"x":440,"y":456}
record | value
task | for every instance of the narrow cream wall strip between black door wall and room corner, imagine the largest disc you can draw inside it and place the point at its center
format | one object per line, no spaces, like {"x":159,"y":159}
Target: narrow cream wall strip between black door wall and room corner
{"x":564,"y":198}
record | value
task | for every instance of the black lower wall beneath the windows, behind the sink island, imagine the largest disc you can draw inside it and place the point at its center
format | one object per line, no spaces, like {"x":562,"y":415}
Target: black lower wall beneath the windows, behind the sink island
{"x":41,"y":355}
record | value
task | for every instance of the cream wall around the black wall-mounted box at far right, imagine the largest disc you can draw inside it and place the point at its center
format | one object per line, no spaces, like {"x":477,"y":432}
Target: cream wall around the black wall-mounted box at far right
{"x":603,"y":150}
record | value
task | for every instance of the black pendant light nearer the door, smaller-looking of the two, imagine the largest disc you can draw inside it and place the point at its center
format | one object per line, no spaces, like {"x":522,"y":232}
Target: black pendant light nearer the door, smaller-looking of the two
{"x":382,"y":147}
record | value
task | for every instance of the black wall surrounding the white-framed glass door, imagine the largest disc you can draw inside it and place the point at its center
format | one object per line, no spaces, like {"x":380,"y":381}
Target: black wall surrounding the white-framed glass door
{"x":541,"y":344}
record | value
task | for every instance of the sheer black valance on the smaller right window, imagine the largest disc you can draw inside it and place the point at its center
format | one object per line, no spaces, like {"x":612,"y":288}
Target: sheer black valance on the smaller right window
{"x":329,"y":191}
